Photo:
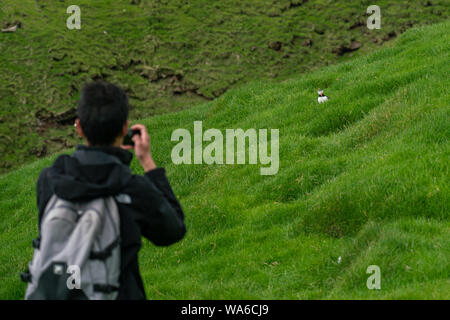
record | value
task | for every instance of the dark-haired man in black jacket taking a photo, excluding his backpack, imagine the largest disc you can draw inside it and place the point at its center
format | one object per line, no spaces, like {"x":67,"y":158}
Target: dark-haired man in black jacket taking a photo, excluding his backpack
{"x":147,"y":205}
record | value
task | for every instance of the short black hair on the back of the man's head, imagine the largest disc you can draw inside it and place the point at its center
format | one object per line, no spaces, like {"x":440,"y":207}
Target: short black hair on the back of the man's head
{"x":102,"y":110}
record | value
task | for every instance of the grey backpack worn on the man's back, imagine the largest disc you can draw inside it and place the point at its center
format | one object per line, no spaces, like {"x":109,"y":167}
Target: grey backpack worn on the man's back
{"x":77,"y":255}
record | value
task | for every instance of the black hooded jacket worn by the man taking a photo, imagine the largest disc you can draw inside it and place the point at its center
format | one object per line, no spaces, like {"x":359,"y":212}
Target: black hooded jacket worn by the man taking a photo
{"x":154,"y":211}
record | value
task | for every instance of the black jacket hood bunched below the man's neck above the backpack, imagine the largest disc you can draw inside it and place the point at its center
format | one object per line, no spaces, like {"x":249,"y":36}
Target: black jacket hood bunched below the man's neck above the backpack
{"x":90,"y":172}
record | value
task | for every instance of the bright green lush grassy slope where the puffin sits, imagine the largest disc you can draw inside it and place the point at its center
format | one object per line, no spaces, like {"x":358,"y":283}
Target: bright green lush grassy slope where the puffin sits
{"x":363,"y":177}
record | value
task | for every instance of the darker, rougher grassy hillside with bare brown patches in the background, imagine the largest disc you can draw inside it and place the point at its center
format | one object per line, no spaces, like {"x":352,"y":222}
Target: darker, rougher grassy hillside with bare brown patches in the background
{"x":170,"y":54}
